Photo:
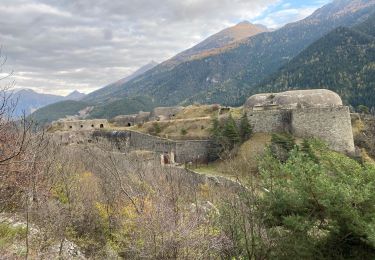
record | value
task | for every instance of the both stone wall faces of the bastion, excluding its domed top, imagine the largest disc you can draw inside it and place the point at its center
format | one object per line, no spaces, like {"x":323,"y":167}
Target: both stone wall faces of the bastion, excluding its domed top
{"x":330,"y":124}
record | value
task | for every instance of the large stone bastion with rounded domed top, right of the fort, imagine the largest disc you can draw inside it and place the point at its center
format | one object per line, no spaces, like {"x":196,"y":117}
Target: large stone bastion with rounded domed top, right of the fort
{"x":318,"y":113}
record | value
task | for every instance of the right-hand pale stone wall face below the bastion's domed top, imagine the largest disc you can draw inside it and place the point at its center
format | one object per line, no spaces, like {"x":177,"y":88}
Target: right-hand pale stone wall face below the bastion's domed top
{"x":331,"y":124}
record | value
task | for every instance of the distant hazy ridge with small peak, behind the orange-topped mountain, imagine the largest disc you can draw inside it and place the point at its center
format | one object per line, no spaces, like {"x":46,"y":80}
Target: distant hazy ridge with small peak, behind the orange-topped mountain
{"x":104,"y":92}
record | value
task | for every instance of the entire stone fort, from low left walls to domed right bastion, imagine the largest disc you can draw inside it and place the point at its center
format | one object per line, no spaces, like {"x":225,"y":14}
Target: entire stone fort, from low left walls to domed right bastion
{"x":316,"y":113}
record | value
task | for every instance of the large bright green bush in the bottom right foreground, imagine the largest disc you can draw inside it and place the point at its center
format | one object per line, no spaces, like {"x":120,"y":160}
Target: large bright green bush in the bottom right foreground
{"x":319,"y":204}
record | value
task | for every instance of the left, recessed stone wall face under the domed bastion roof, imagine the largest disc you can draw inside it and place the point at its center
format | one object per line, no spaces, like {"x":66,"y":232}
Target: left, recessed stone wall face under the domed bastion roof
{"x":269,"y":121}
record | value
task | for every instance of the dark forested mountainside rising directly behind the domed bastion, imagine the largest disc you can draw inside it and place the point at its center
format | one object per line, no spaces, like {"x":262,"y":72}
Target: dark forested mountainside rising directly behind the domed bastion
{"x":342,"y":61}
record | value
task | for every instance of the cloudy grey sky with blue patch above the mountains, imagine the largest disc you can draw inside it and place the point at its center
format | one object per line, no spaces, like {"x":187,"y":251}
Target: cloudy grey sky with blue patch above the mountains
{"x":58,"y":46}
